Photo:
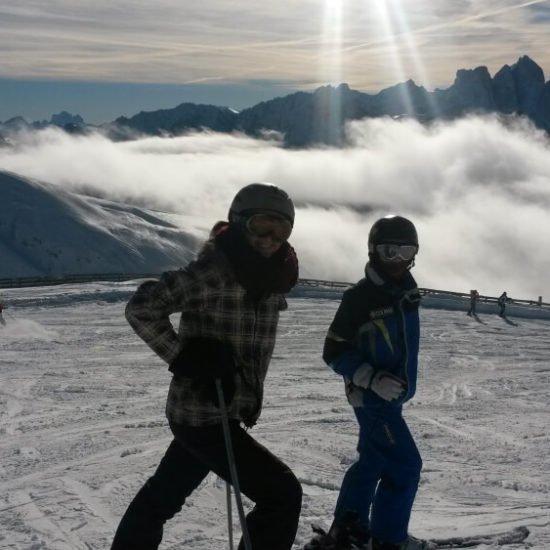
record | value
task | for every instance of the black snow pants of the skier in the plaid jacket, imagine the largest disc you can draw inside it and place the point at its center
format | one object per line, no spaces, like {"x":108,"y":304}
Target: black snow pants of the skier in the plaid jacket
{"x":193,"y":453}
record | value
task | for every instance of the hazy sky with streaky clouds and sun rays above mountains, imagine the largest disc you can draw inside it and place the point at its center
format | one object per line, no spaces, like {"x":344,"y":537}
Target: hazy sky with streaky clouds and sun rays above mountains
{"x":105,"y":58}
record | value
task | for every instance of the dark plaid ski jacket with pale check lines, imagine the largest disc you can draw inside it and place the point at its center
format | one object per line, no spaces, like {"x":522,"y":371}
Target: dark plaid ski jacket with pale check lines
{"x":212,"y":304}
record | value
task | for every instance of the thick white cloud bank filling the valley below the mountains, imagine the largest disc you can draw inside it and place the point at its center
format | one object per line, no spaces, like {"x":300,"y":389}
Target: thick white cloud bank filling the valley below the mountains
{"x":478,"y":190}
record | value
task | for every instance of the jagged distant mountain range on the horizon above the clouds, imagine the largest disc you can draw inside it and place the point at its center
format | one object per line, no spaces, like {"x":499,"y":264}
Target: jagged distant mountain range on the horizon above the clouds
{"x":303,"y":119}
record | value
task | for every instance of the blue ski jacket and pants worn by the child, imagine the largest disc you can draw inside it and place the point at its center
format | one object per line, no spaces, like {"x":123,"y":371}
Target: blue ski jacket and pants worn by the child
{"x":377,"y":324}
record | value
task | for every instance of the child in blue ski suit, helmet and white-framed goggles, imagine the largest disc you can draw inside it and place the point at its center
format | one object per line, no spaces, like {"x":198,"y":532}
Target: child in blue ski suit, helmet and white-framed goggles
{"x":373,"y":343}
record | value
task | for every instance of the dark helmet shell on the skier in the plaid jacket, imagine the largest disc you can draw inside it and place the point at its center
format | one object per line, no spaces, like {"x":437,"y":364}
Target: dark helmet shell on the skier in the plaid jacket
{"x":261,"y":197}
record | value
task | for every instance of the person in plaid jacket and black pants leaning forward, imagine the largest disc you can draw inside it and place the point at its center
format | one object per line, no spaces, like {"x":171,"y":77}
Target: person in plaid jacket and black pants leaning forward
{"x":229,"y":299}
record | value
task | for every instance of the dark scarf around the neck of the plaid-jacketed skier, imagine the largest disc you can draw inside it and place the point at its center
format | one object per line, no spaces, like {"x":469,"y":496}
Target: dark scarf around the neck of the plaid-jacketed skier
{"x":258,"y":275}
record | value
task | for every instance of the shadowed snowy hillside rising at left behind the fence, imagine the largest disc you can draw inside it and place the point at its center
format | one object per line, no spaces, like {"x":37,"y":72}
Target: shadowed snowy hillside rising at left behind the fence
{"x":46,"y":230}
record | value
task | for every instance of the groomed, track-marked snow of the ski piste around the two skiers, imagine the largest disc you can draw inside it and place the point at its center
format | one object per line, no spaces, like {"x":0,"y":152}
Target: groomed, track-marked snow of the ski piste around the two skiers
{"x":83,"y":426}
